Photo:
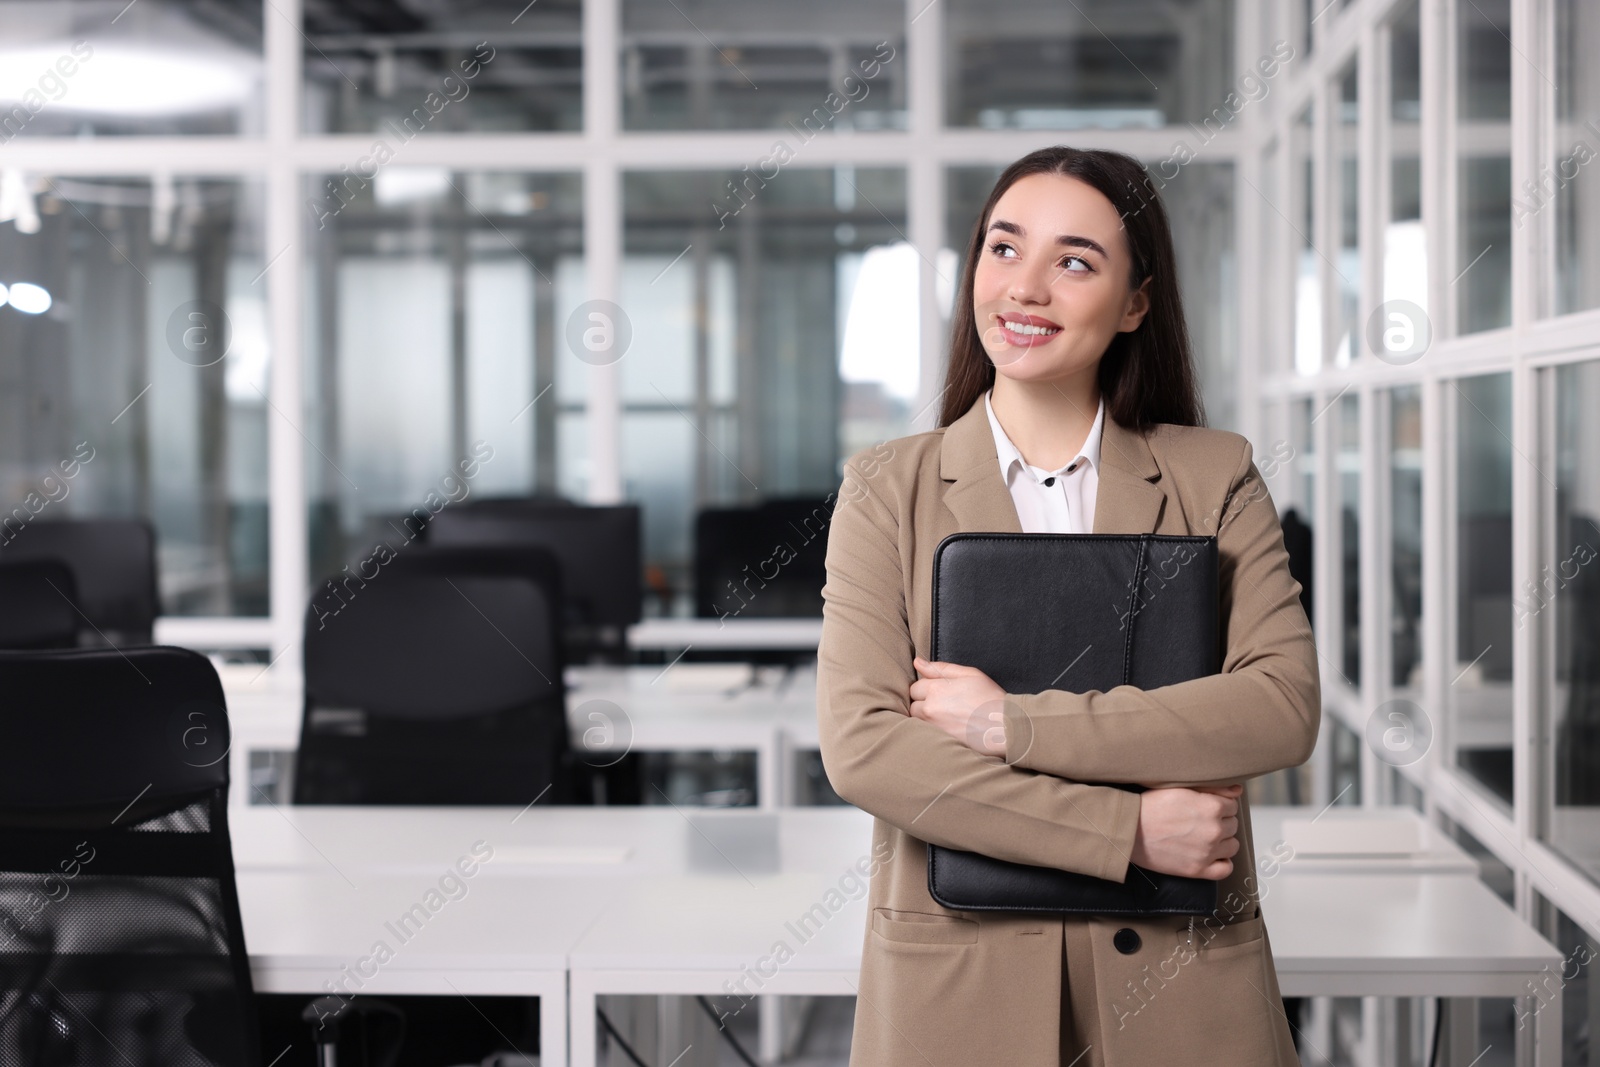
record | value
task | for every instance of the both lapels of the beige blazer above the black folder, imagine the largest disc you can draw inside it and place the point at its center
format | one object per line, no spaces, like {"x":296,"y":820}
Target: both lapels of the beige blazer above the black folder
{"x":1127,"y":500}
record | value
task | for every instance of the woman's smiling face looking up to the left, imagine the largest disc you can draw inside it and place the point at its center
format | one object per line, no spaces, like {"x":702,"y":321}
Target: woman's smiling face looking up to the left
{"x":1050,"y":290}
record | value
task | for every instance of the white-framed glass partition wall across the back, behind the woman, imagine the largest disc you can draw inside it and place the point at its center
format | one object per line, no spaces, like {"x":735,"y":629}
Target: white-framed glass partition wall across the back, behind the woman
{"x":306,"y":260}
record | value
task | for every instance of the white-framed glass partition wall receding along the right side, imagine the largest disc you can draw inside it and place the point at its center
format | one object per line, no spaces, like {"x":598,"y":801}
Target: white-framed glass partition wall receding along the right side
{"x":1430,"y":358}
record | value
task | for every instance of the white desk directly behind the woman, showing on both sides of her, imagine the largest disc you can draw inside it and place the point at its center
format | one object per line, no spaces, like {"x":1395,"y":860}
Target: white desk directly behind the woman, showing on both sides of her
{"x":1337,"y":935}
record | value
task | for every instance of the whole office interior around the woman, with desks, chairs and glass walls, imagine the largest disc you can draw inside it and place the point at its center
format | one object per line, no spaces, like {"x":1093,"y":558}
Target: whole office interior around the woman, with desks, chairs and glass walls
{"x":318,"y":310}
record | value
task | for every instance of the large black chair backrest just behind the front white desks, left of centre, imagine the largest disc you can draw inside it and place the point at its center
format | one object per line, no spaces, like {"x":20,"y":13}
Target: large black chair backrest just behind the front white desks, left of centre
{"x":438,"y":682}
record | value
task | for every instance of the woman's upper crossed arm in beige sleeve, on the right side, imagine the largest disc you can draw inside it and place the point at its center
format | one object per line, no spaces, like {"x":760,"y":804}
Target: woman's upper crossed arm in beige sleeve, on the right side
{"x":1260,"y":716}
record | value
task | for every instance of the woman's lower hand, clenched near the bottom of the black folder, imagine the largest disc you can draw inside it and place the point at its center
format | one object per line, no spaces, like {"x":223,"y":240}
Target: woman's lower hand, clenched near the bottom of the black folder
{"x":1191,"y":833}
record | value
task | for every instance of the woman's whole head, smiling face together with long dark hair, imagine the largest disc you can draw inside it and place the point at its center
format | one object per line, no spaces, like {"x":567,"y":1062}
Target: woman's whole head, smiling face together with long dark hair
{"x":1086,"y":270}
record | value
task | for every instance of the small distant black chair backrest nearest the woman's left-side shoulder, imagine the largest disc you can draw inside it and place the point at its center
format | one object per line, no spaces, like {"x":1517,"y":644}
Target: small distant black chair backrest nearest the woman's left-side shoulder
{"x":762,"y":562}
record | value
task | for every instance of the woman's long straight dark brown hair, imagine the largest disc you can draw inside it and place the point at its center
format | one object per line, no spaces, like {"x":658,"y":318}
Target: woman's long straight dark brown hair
{"x":1146,"y":375}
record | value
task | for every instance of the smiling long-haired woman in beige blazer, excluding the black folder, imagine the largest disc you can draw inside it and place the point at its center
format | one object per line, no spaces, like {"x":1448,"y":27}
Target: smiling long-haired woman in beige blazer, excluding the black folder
{"x":1071,"y":407}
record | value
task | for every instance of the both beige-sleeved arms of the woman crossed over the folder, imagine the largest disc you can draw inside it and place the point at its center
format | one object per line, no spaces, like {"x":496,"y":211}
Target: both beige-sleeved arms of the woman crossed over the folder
{"x":1041,"y":809}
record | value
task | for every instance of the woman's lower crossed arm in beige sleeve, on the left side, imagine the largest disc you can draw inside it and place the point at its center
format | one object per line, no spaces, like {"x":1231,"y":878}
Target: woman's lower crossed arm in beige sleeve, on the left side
{"x":911,"y":773}
